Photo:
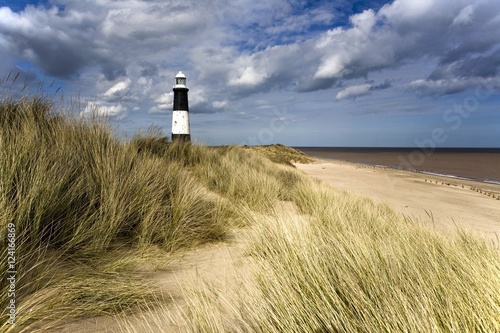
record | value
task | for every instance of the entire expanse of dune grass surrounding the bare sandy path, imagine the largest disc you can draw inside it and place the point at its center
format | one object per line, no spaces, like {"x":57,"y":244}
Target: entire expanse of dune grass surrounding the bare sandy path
{"x":90,"y":210}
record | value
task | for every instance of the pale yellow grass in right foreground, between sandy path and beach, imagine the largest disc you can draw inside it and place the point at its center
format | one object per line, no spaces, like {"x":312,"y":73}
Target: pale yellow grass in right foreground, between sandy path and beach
{"x":340,"y":263}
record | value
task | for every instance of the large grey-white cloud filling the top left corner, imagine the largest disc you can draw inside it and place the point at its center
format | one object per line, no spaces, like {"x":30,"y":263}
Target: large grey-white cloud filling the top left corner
{"x":107,"y":34}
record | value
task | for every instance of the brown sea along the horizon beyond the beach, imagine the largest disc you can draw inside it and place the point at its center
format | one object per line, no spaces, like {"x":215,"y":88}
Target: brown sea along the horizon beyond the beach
{"x":480,"y":164}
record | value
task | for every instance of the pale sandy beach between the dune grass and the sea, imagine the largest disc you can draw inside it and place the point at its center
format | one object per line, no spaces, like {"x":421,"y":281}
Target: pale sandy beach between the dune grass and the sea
{"x":440,"y":202}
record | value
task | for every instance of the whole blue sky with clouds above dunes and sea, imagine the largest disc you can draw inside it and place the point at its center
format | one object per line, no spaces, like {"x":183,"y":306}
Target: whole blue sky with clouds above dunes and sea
{"x":400,"y":73}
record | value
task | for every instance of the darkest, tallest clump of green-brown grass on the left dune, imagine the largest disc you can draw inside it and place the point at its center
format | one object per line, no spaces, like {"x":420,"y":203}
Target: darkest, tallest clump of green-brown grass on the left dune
{"x":67,"y":181}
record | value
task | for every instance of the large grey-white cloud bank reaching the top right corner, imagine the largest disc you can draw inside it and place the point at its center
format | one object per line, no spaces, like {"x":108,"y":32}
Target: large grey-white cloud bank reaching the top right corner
{"x":404,"y":31}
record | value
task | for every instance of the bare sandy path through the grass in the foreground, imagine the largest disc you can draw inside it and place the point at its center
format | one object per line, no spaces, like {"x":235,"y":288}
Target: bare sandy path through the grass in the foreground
{"x":226,"y":267}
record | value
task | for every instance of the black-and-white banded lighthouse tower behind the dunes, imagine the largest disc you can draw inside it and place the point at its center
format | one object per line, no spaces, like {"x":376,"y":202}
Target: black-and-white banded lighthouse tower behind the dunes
{"x":180,"y":115}
